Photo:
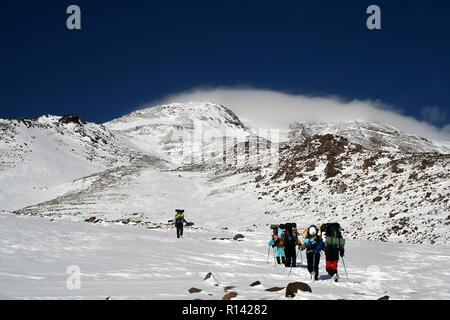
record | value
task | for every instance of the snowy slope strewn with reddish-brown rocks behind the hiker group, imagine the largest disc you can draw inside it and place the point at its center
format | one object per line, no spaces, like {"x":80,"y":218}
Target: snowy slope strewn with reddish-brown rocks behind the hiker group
{"x":328,"y":177}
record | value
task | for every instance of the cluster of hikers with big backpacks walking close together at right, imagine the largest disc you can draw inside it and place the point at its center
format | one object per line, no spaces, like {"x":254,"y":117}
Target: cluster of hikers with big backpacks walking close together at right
{"x":327,"y":237}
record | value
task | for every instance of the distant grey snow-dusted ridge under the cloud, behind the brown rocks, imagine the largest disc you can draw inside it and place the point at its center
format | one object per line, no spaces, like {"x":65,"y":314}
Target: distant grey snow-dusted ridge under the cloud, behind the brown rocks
{"x":369,"y":134}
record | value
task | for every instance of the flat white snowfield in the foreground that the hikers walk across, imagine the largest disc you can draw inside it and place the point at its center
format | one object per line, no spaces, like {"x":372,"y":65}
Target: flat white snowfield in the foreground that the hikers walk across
{"x":124,"y":262}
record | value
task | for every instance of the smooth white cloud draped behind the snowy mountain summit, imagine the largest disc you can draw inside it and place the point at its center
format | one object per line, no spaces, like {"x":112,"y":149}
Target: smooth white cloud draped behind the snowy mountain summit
{"x":271,"y":109}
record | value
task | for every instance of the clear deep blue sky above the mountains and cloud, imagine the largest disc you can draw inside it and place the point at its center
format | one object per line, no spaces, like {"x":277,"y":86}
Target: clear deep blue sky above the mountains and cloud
{"x":131,"y":52}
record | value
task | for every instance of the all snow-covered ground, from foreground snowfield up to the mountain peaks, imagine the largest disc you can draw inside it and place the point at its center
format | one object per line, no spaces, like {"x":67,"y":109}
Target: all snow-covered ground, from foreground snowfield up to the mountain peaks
{"x":379,"y":183}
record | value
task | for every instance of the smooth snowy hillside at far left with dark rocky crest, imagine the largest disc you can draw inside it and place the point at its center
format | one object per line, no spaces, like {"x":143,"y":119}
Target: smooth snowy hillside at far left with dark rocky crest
{"x":37,"y":155}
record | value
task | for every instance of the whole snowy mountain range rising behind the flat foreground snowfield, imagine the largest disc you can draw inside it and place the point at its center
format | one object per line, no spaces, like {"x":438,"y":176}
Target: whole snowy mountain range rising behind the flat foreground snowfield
{"x":386,"y":195}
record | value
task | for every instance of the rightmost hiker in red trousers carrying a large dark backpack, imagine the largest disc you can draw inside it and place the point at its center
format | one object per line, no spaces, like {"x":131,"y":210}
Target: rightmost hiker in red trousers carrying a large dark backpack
{"x":334,"y":247}
